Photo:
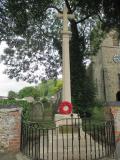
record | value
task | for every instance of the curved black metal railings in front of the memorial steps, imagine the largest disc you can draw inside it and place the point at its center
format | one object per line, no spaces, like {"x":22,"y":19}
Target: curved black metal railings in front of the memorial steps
{"x":72,"y":139}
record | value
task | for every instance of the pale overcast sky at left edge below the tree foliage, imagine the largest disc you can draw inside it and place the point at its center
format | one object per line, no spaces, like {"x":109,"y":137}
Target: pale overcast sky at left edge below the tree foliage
{"x":7,"y":84}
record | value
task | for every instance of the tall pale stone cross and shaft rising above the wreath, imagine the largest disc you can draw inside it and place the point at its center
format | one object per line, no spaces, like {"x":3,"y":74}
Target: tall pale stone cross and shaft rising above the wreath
{"x":66,"y":95}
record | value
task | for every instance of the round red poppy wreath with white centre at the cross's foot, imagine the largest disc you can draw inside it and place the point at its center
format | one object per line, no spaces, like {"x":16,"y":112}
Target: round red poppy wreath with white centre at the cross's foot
{"x":65,"y":107}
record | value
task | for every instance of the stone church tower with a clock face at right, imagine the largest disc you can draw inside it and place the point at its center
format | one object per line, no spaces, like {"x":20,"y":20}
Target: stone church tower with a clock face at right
{"x":106,"y":69}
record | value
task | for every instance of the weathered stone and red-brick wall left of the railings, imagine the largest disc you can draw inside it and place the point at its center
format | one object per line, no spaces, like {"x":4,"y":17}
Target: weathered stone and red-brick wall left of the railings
{"x":10,"y":128}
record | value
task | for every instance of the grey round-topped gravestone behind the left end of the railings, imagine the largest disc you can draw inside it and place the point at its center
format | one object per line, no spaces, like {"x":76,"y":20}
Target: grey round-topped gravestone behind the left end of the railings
{"x":37,"y":111}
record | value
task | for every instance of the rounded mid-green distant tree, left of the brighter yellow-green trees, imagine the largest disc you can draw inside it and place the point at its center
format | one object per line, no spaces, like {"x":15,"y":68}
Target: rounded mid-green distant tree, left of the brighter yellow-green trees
{"x":27,"y":92}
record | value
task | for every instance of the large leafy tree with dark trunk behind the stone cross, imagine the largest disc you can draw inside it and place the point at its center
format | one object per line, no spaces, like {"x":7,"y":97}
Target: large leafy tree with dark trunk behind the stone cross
{"x":31,"y":30}
